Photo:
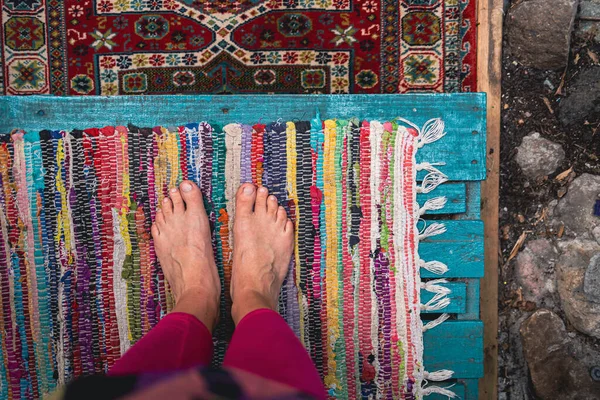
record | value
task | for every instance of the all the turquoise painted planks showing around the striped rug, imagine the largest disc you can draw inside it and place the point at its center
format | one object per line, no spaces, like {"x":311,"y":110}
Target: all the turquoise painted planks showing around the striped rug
{"x":456,"y":344}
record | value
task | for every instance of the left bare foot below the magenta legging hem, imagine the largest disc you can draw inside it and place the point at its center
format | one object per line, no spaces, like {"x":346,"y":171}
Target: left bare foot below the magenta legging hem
{"x":181,"y":235}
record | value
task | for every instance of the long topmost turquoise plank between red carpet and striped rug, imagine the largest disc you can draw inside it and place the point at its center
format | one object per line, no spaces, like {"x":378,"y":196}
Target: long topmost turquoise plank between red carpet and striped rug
{"x":462,"y":150}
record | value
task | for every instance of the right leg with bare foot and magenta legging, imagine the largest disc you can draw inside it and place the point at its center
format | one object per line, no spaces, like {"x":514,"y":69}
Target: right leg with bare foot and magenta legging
{"x":263,"y":344}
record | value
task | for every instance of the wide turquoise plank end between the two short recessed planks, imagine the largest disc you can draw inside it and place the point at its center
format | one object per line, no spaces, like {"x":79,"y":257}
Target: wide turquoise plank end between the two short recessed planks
{"x":460,"y":248}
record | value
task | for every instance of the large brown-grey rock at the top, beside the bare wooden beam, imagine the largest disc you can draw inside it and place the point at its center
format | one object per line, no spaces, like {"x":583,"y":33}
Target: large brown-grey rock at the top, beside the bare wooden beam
{"x":539,"y":32}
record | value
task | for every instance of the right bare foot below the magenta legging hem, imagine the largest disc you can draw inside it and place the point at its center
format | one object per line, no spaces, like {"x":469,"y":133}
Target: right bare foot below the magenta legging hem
{"x":262,"y":248}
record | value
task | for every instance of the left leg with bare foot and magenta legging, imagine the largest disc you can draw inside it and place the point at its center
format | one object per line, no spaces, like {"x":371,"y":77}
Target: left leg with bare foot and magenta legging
{"x":183,"y":338}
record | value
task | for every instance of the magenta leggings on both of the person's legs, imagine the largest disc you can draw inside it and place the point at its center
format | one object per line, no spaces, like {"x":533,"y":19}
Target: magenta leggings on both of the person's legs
{"x":262,"y":344}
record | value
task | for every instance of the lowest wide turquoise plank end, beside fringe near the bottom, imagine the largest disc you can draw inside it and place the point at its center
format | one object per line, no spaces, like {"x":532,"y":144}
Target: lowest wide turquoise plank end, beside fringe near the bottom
{"x":457,"y":346}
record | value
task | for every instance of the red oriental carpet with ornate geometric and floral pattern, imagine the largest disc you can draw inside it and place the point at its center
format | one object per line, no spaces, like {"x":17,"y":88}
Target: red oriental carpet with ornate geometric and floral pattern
{"x":109,"y":47}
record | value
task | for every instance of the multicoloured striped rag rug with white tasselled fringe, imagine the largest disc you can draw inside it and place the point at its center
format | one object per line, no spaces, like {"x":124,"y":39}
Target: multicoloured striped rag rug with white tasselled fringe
{"x":83,"y":283}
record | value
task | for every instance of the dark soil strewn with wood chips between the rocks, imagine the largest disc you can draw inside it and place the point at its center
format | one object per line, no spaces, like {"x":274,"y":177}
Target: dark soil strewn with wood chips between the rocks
{"x":530,"y":103}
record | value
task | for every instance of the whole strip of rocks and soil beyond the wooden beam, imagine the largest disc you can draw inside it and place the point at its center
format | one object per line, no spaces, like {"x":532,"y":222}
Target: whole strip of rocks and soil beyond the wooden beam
{"x":549,"y":294}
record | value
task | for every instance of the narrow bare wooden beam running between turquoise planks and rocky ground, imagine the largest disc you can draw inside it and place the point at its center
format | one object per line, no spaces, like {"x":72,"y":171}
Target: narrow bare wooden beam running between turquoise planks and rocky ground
{"x":490,"y":15}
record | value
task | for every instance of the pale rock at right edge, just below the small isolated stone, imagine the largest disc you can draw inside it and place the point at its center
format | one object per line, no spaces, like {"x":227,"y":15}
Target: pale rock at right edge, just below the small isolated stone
{"x":576,"y":208}
